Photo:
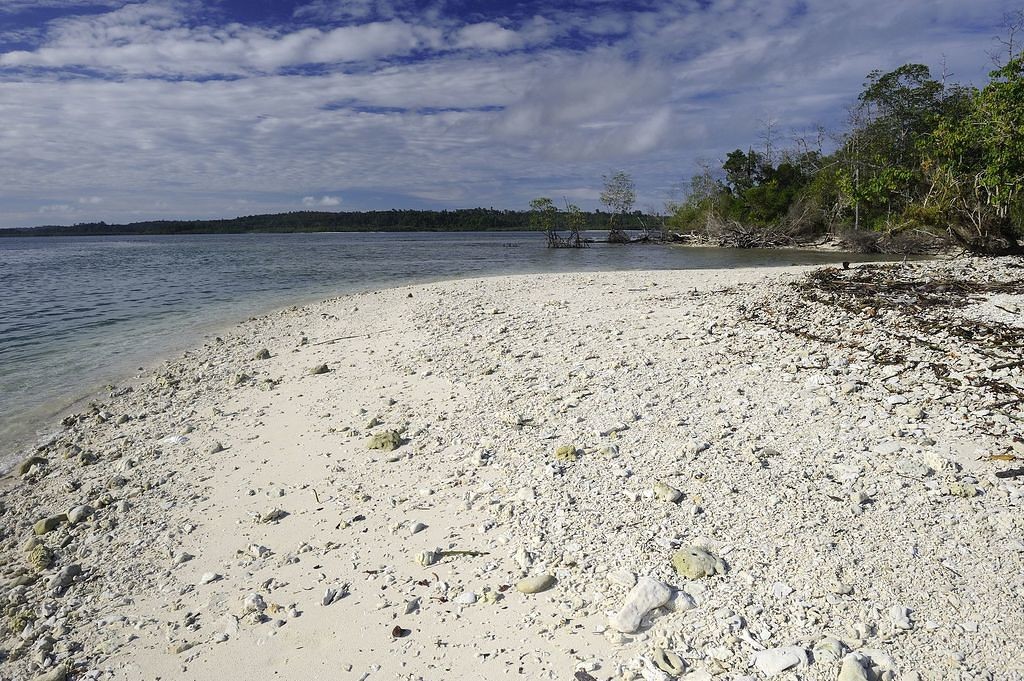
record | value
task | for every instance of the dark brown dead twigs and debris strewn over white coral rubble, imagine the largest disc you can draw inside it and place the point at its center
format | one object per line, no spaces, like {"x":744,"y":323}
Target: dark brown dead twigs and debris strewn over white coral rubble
{"x":911,"y":322}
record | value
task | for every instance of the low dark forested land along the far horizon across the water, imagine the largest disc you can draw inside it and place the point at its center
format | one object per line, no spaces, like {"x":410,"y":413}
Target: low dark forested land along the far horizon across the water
{"x":471,"y":220}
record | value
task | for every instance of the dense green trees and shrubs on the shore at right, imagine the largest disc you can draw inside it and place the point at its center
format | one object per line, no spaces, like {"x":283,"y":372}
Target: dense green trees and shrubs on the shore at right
{"x":920,"y":157}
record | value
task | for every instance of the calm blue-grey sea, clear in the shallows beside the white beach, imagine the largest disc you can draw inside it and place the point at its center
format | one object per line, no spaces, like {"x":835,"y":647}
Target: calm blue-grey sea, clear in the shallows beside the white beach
{"x":79,"y":313}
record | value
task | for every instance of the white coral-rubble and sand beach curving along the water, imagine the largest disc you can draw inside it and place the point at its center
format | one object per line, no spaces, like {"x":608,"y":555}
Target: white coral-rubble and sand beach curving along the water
{"x":844,"y":489}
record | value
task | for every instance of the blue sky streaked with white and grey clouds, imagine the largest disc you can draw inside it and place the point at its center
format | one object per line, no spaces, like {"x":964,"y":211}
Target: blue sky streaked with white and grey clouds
{"x":129,"y":111}
